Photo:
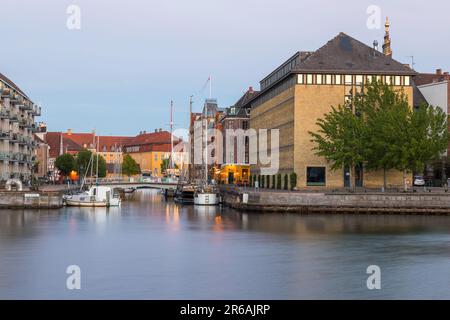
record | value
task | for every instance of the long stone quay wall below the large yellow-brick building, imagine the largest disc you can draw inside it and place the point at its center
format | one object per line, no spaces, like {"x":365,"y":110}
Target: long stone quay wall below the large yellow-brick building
{"x":335,"y":202}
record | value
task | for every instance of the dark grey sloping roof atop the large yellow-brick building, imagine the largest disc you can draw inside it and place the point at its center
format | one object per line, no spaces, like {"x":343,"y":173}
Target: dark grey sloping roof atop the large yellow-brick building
{"x":348,"y":55}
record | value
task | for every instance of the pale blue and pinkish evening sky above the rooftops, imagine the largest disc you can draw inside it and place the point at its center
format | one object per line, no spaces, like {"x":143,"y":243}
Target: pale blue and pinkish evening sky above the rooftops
{"x":119,"y":71}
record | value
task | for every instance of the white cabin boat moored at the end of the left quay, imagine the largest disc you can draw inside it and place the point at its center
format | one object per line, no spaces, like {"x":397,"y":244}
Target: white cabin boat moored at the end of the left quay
{"x":96,"y":197}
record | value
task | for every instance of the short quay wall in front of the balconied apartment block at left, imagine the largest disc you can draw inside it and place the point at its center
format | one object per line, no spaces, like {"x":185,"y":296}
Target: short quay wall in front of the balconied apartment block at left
{"x":31,"y":199}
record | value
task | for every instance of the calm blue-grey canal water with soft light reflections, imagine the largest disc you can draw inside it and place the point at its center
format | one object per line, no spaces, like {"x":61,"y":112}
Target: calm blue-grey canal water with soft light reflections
{"x":151,"y":249}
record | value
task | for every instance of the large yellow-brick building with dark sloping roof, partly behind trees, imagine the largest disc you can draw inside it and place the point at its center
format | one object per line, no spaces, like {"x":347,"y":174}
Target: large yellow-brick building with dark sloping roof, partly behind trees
{"x":303,"y":89}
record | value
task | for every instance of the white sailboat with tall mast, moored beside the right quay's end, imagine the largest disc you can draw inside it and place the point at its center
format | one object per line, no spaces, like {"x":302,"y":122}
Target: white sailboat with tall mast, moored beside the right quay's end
{"x":206,"y":194}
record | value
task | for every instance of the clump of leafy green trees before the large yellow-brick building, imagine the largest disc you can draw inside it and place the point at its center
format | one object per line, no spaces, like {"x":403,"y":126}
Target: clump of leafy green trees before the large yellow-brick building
{"x":380,"y":131}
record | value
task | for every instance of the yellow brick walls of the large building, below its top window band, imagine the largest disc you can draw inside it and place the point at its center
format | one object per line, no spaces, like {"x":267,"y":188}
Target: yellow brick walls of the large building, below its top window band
{"x":295,"y":112}
